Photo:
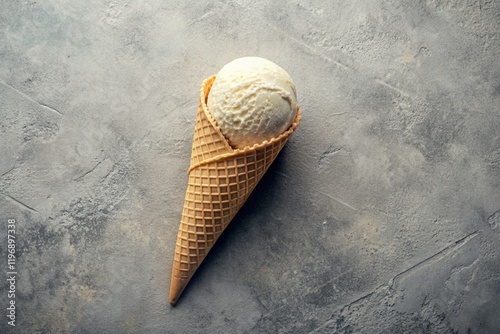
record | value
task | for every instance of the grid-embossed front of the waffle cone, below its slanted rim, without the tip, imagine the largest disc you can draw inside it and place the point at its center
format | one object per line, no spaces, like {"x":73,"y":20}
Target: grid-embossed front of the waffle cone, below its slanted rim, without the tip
{"x":215,"y":193}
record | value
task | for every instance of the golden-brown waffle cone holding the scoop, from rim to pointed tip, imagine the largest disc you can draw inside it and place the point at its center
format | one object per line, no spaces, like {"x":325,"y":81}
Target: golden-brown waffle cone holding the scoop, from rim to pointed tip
{"x":220,"y":181}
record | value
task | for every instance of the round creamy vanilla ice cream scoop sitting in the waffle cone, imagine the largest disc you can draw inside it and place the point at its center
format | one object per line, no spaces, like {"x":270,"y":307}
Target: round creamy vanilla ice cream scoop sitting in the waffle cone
{"x":252,"y":100}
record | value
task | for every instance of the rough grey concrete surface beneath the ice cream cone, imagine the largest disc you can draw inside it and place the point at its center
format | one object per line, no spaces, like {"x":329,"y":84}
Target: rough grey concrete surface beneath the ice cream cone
{"x":381,"y":215}
